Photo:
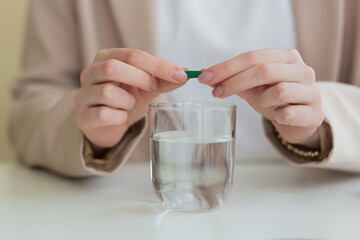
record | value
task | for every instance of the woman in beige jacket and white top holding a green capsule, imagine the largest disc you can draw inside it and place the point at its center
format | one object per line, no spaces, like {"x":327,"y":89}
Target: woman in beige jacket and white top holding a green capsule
{"x":92,"y":68}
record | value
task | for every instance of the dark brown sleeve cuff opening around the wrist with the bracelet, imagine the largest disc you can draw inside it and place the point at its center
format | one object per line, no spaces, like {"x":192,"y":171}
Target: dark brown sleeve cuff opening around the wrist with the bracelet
{"x":326,"y":144}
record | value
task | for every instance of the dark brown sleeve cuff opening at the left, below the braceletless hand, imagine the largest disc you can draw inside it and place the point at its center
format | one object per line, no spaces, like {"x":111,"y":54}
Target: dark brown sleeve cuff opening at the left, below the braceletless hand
{"x":109,"y":162}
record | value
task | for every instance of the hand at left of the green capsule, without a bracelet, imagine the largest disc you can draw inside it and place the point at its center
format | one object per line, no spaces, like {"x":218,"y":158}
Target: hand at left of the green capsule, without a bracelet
{"x":116,"y":90}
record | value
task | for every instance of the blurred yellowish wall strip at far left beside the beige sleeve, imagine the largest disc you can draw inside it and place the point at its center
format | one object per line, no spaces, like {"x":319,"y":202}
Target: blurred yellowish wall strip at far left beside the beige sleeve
{"x":12,"y":26}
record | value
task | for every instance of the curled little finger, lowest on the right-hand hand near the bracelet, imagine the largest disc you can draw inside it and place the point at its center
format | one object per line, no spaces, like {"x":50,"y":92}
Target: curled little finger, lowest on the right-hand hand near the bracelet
{"x":299,"y":116}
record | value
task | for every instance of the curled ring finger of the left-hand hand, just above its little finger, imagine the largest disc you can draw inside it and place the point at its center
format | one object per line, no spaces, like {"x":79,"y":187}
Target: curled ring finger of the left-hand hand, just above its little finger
{"x":107,"y":94}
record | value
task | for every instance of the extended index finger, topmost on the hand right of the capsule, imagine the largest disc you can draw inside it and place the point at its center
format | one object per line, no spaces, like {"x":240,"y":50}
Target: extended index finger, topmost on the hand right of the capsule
{"x":244,"y":61}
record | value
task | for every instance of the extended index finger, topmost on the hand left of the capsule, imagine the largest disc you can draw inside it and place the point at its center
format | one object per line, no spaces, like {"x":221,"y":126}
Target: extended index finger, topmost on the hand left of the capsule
{"x":145,"y":61}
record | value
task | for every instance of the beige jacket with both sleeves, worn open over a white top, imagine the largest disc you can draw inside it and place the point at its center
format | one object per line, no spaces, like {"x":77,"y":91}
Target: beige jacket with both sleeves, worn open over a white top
{"x":63,"y":37}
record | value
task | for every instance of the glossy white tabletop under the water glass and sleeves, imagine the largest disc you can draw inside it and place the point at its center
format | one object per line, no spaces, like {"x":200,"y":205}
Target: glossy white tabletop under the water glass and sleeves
{"x":268,"y":201}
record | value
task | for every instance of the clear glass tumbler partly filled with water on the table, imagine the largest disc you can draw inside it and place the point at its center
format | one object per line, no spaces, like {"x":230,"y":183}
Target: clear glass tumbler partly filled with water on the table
{"x":192,"y":153}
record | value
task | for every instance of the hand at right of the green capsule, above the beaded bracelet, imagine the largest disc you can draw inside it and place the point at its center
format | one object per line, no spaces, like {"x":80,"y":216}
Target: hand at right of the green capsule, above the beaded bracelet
{"x":278,"y":85}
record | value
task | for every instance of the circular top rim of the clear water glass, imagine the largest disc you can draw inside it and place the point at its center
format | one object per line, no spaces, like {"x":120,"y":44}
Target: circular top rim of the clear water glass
{"x":195,"y":105}
